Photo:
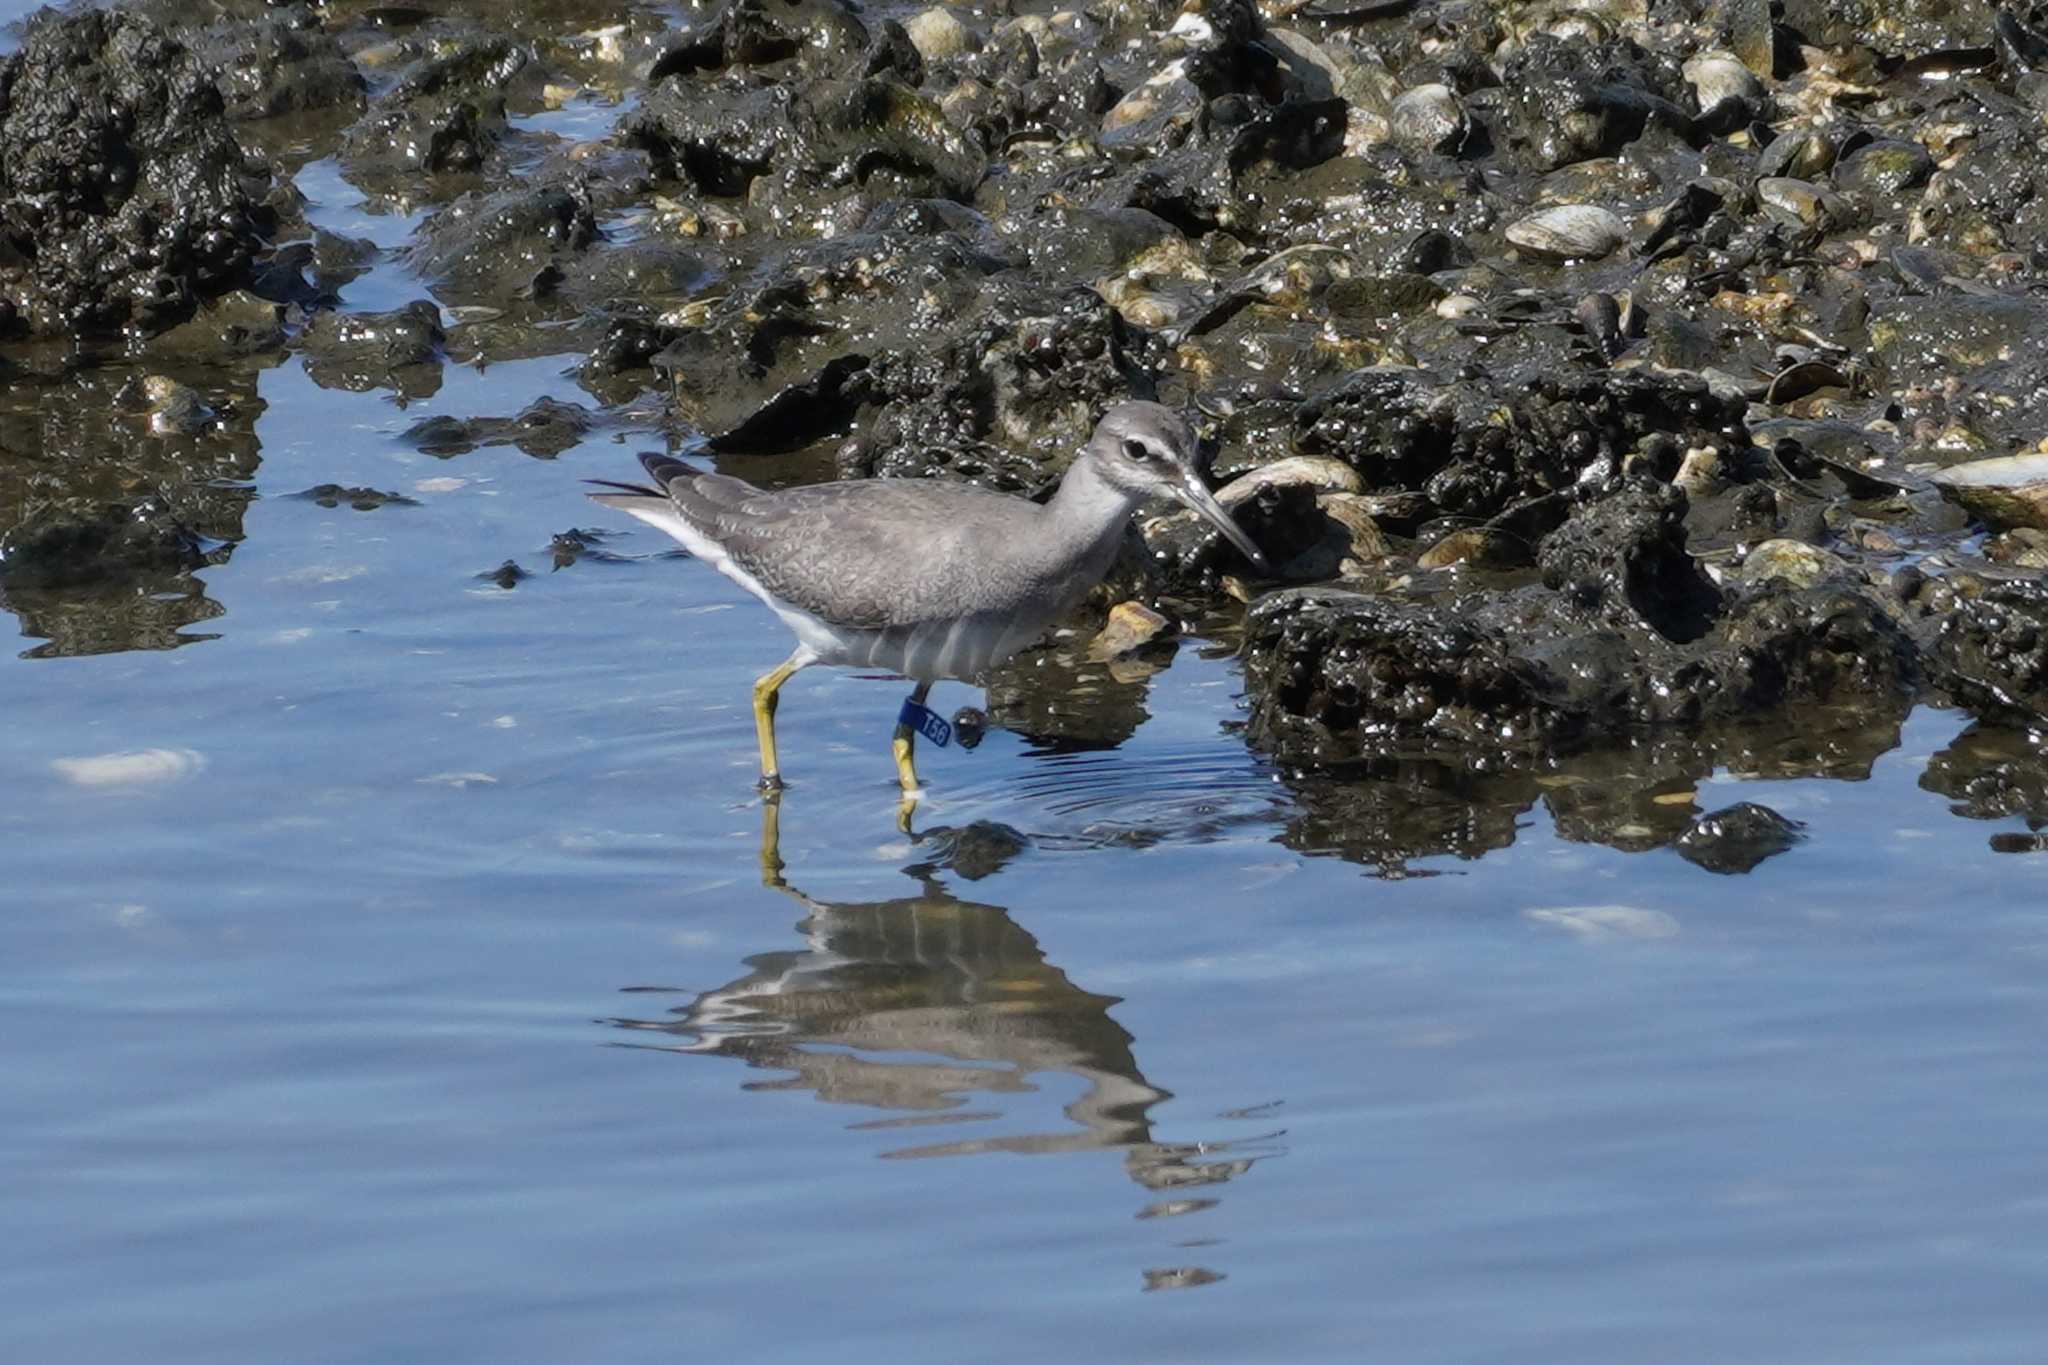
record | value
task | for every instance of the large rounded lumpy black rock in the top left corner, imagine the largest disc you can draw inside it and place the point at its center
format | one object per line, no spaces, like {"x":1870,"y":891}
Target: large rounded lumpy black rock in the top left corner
{"x":124,"y":195}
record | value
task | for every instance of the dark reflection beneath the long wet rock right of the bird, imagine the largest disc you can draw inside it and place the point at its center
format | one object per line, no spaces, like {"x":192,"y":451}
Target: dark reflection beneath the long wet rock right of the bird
{"x":1396,"y":809}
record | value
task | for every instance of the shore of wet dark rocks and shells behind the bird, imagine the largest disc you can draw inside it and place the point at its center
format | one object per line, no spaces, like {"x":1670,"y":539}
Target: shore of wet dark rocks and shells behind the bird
{"x":1603,"y":376}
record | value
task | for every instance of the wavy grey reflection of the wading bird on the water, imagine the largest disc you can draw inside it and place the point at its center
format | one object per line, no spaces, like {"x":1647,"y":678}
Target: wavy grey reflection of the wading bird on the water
{"x":919,"y":1004}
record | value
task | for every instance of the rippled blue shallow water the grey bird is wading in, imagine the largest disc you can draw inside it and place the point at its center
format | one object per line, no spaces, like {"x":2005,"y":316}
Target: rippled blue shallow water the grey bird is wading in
{"x":394,"y":973}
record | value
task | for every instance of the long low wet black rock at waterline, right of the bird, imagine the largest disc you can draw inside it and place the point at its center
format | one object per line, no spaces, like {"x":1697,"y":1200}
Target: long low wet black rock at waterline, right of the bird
{"x":1338,"y":676}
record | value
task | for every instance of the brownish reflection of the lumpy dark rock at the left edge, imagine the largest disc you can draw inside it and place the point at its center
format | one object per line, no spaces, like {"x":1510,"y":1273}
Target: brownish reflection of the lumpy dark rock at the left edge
{"x":108,"y":511}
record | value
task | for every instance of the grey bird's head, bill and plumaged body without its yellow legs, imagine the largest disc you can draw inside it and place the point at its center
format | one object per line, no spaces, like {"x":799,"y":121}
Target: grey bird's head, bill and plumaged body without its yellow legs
{"x":925,"y":578}
